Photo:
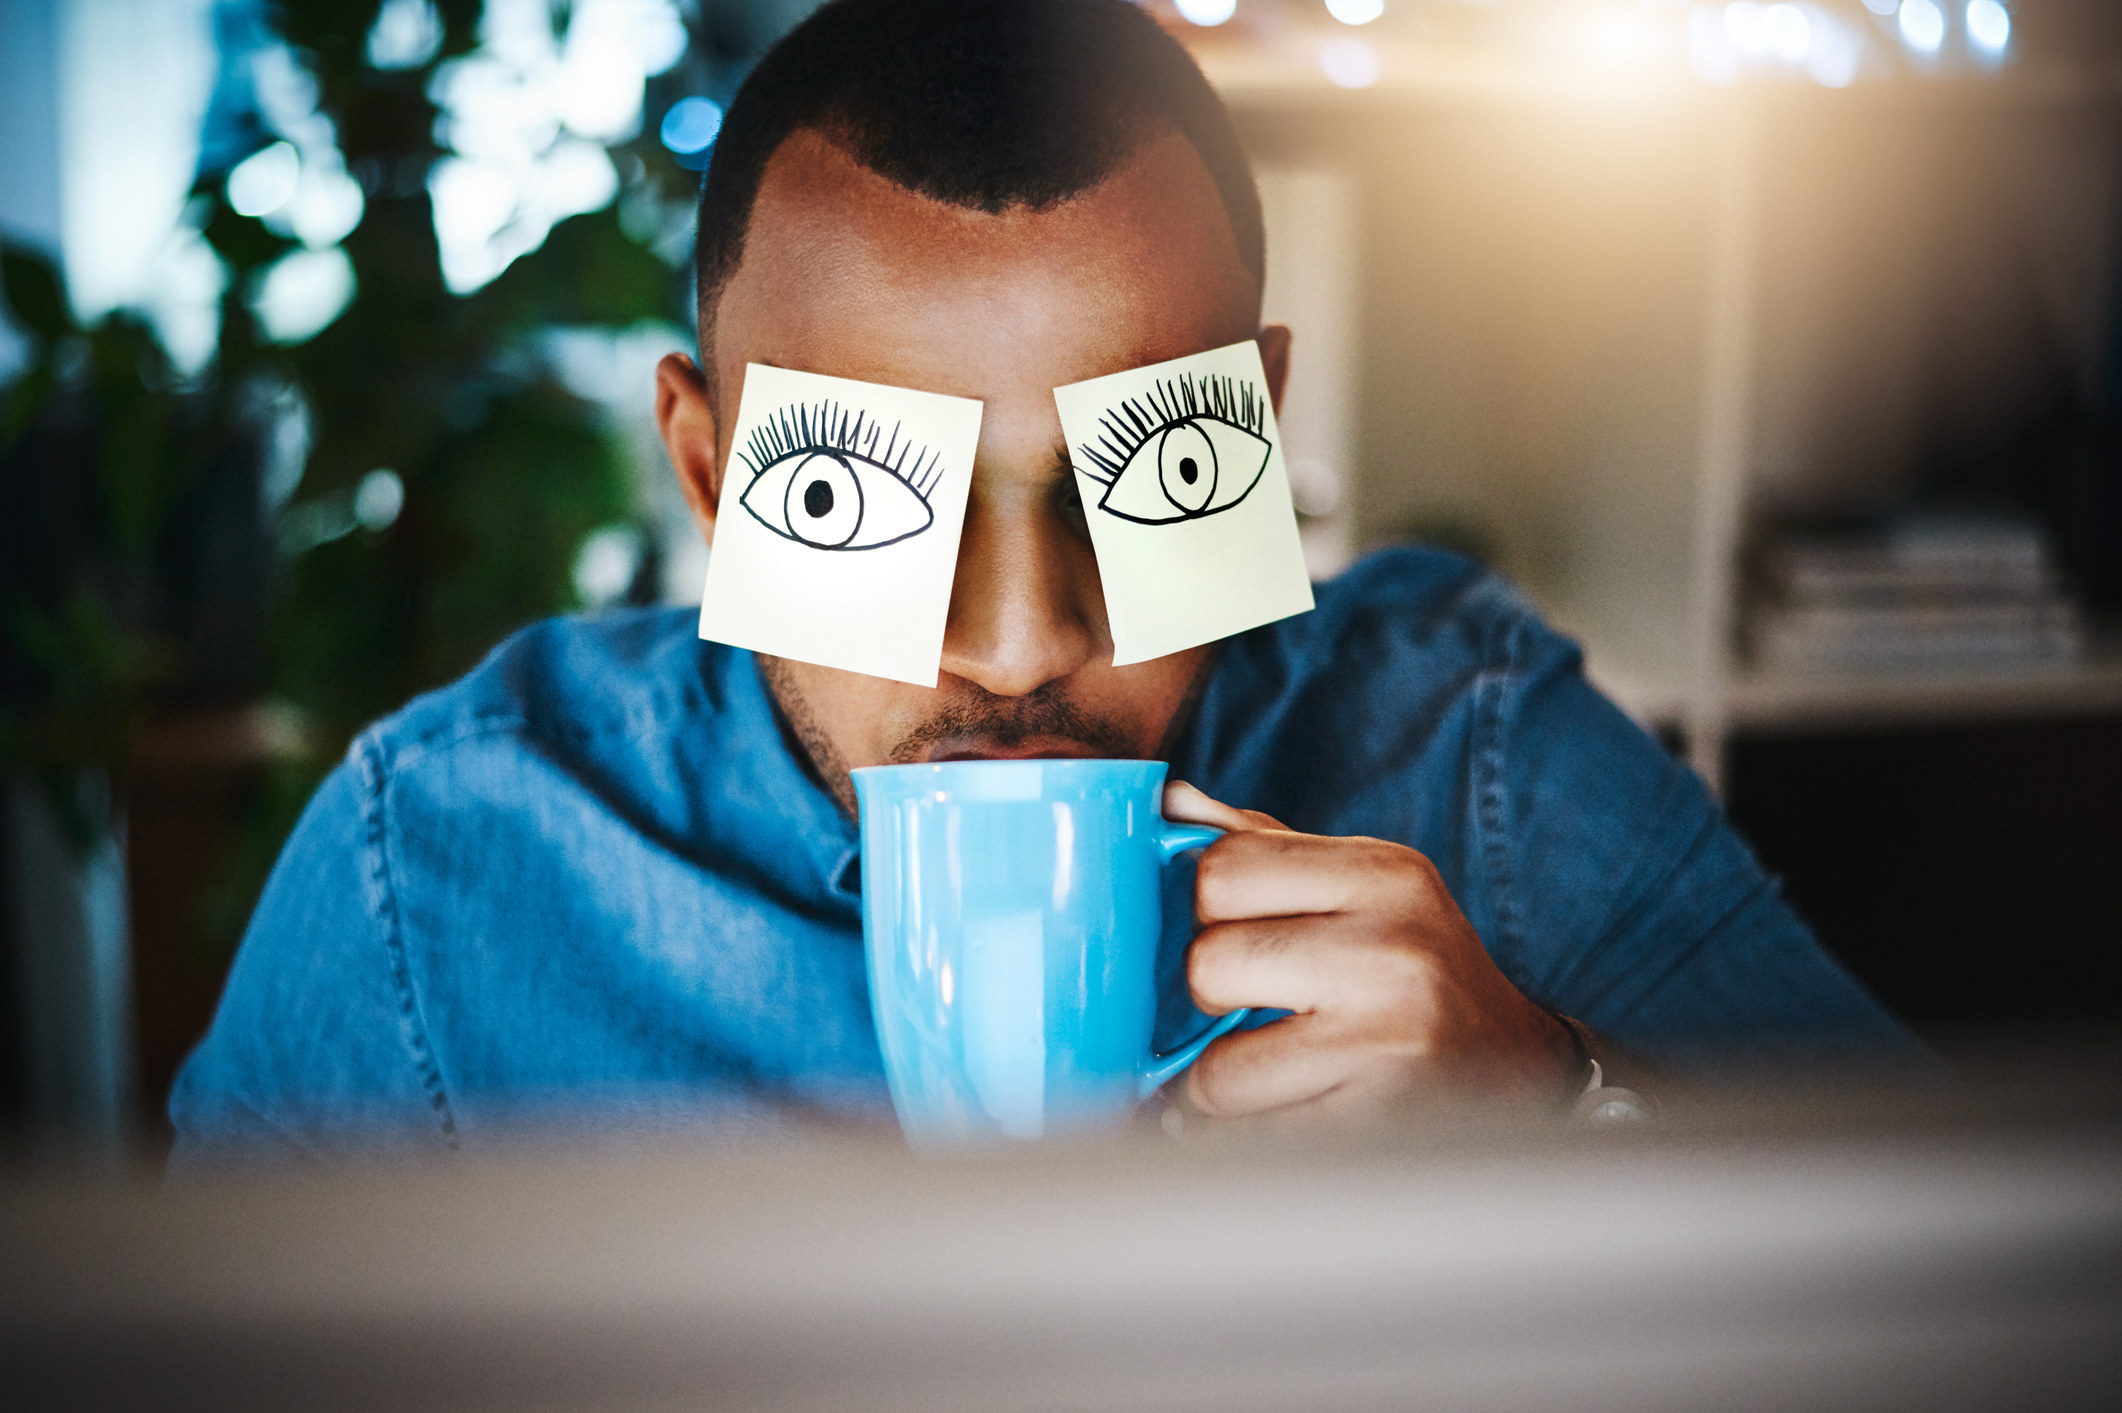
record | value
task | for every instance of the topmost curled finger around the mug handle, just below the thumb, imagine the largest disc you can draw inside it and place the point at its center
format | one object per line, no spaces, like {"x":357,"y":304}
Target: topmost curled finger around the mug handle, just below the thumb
{"x":1272,"y":873}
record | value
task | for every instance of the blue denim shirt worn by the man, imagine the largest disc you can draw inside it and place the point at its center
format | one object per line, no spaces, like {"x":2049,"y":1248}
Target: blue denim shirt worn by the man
{"x":595,"y":882}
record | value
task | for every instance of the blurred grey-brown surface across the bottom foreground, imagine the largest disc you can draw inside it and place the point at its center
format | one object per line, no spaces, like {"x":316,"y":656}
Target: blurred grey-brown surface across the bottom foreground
{"x":1854,"y":1249}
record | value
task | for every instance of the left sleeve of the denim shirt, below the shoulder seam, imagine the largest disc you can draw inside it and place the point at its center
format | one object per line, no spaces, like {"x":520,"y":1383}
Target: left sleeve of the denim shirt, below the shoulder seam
{"x":317,"y":1041}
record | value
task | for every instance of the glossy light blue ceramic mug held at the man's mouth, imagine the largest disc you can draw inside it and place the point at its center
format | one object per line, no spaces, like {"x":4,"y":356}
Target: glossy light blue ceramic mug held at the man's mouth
{"x":1011,"y":911}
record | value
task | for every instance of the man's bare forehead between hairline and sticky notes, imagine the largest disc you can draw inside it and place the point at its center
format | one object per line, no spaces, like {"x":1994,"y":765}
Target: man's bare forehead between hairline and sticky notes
{"x":852,"y":275}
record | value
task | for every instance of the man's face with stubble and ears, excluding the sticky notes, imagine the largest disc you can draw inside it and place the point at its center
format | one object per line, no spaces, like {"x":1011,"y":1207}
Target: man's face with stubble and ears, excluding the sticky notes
{"x":856,"y":277}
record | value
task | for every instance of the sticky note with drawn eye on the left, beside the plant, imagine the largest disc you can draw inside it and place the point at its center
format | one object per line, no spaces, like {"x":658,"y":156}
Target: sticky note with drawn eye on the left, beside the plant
{"x":839,"y":523}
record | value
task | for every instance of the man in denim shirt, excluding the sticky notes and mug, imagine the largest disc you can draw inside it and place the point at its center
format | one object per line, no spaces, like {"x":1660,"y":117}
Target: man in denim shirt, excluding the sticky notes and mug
{"x":612,"y":875}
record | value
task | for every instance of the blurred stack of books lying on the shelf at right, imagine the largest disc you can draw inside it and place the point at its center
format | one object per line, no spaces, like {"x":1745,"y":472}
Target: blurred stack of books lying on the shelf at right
{"x":1913,"y":593}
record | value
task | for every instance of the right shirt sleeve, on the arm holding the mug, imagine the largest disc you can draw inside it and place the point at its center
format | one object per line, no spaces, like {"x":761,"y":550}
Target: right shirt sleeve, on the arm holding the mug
{"x":1629,"y":901}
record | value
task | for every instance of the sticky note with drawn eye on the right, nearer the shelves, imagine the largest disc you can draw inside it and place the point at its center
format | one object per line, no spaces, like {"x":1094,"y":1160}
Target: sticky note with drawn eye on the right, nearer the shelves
{"x":1187,"y":502}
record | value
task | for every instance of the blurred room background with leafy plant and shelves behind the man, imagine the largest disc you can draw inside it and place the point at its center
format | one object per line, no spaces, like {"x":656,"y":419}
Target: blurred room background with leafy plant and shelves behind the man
{"x":1771,"y":347}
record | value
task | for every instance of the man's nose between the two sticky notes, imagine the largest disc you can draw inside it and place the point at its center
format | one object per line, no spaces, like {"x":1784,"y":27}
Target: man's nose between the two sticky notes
{"x":1026,"y":608}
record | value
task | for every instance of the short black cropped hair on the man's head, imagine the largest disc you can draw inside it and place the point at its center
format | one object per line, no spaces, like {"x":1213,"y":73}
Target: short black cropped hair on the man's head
{"x":975,"y":103}
